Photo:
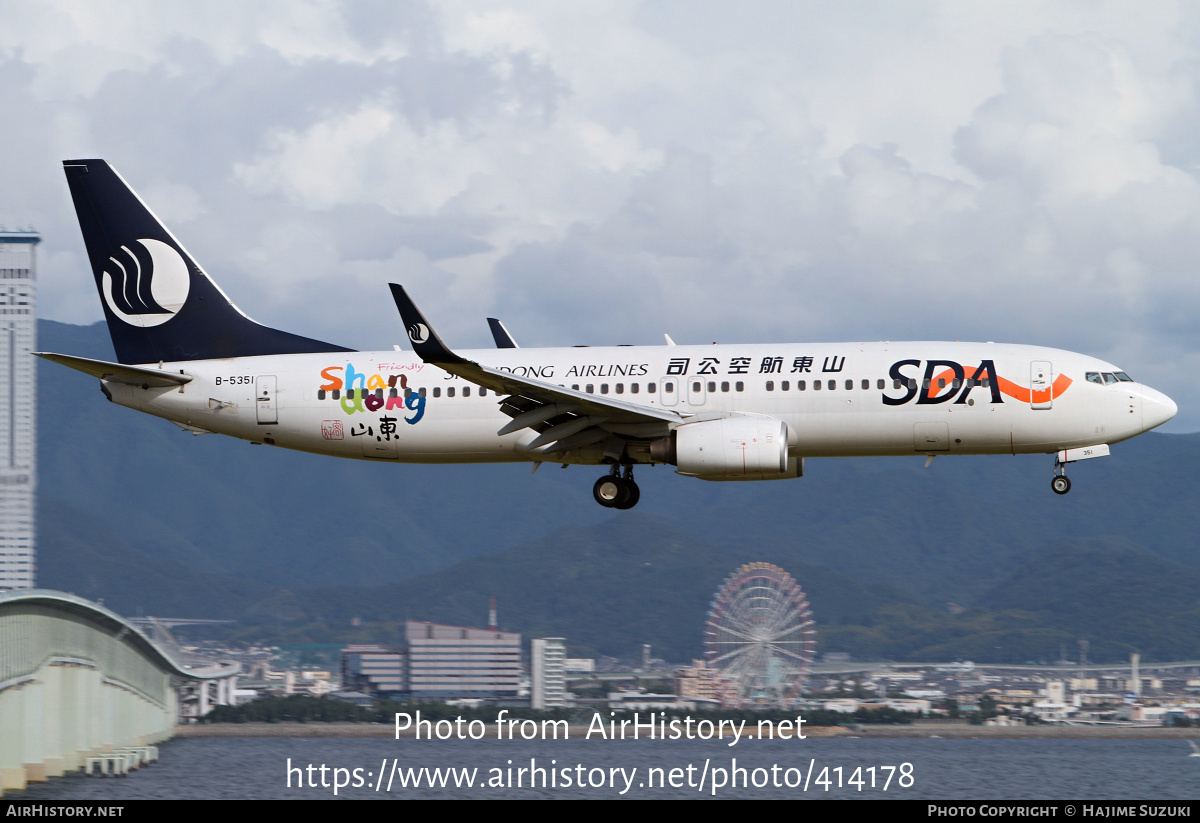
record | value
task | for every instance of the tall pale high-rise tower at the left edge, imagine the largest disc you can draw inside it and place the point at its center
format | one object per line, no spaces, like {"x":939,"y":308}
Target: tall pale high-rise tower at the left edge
{"x":19,"y":446}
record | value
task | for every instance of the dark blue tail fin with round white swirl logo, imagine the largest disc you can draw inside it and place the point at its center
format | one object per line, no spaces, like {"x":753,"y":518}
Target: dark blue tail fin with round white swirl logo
{"x":160,"y":305}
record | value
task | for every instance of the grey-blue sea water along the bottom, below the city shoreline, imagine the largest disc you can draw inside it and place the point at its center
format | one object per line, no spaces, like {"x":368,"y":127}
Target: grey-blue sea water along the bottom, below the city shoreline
{"x":909,"y":768}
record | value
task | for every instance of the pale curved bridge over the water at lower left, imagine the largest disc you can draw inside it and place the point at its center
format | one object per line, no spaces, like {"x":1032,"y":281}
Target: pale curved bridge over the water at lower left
{"x":77,"y":681}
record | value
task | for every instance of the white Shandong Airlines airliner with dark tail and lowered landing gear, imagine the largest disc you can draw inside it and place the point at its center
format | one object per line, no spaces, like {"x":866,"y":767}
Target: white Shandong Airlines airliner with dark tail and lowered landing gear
{"x":733,"y":412}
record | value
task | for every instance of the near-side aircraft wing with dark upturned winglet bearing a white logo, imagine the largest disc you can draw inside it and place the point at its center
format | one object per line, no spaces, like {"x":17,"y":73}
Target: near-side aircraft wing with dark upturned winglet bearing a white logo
{"x":563,"y":417}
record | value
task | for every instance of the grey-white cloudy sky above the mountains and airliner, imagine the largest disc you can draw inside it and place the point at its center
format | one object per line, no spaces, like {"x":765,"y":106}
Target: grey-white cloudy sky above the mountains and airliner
{"x":605,"y":172}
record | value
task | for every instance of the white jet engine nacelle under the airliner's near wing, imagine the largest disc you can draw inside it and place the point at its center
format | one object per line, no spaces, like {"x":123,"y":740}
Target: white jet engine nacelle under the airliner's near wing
{"x":745,"y":447}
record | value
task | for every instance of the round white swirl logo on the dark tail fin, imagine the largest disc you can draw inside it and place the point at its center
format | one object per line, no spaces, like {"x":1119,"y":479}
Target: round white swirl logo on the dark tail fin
{"x":146,"y":287}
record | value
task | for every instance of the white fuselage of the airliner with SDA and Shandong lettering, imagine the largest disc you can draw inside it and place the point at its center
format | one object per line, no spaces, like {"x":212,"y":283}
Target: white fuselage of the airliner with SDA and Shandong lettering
{"x":874,"y":399}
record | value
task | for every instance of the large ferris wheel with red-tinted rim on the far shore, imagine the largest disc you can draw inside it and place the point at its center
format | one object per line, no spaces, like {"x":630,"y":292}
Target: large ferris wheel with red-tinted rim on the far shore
{"x":760,"y":633}
